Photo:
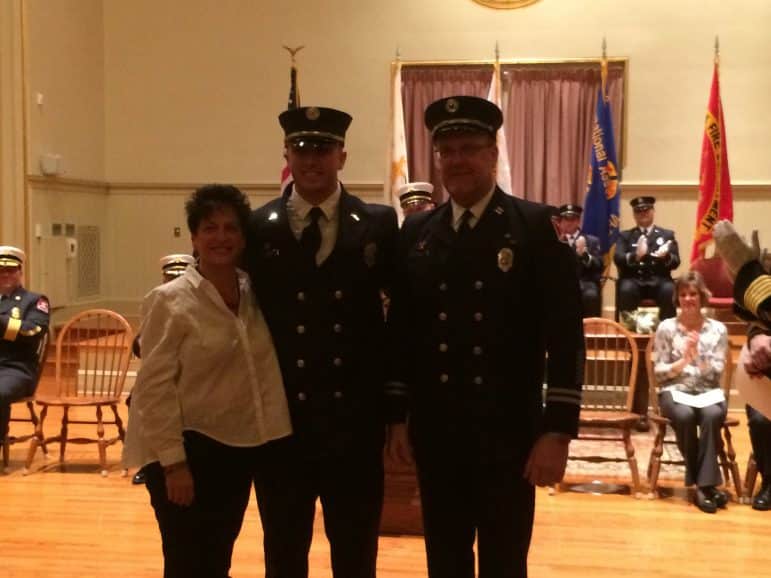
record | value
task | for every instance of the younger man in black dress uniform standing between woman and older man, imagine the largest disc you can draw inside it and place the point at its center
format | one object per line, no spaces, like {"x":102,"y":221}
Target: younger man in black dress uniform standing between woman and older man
{"x":319,"y":259}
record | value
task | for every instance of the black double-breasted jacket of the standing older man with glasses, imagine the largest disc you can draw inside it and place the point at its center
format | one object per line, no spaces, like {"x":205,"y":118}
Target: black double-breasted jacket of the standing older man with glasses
{"x":475,"y":318}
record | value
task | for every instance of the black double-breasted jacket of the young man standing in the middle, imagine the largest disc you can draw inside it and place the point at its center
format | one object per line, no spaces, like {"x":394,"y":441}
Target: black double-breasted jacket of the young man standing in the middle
{"x":327,"y":322}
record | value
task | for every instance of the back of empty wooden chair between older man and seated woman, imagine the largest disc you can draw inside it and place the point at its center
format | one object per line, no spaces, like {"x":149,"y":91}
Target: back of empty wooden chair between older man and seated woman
{"x":610,"y":371}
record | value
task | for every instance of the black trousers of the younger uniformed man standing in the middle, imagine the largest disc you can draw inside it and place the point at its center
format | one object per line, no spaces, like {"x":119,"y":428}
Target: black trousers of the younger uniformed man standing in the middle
{"x":350,"y":488}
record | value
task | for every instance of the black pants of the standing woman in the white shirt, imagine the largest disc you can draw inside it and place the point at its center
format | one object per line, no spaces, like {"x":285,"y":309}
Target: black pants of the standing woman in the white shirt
{"x":198,"y":539}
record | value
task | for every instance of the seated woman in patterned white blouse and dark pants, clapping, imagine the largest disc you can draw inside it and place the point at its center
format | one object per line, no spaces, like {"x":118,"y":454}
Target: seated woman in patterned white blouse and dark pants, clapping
{"x":690,"y":353}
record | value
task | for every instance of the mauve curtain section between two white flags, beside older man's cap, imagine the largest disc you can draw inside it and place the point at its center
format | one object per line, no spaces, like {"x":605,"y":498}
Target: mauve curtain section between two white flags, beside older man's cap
{"x":422,"y":85}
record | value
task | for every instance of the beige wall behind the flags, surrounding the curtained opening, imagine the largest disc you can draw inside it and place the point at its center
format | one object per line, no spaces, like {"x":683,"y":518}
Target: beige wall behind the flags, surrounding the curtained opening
{"x":155,"y":96}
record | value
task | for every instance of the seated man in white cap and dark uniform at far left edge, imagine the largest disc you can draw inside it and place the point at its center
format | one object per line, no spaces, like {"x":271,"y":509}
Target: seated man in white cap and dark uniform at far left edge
{"x":23,"y":321}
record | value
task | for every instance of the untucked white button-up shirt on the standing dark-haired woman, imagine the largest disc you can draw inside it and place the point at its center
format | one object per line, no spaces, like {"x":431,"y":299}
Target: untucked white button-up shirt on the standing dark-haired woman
{"x":203,"y":369}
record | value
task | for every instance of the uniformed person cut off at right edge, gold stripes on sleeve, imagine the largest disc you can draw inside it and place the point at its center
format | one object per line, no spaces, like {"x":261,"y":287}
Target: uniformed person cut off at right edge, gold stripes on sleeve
{"x":752,"y":301}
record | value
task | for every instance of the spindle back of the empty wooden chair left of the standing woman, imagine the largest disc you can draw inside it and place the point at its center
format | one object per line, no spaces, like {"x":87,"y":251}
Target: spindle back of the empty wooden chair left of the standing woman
{"x":93,"y":352}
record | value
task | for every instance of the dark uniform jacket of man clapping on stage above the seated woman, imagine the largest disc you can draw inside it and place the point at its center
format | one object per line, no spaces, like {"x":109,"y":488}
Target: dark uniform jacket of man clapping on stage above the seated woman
{"x":649,"y":269}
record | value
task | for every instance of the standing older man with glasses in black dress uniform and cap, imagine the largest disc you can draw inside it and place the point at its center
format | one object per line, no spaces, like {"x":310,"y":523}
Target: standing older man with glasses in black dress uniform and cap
{"x":485,"y":290}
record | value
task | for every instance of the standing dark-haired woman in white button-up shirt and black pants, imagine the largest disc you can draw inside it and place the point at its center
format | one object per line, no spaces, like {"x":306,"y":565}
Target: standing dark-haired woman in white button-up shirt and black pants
{"x":208,"y":394}
